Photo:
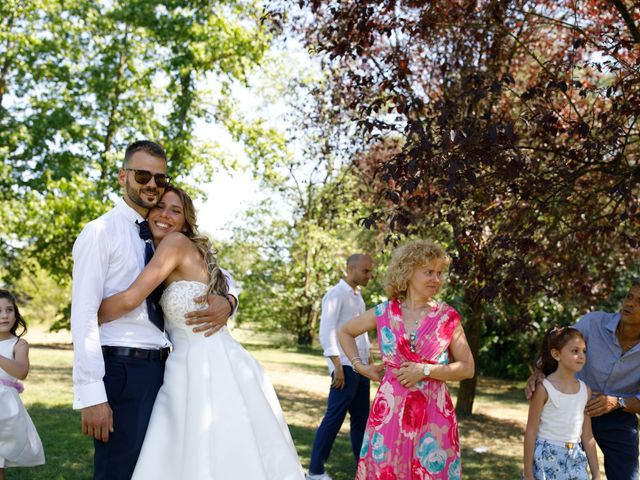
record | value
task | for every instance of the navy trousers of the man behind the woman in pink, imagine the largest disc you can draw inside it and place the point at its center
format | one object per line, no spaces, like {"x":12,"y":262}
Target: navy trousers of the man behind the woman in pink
{"x":352,"y":398}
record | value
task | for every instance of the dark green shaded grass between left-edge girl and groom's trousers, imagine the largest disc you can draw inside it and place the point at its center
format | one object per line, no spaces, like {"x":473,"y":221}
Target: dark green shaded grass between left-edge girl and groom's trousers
{"x":69,"y":454}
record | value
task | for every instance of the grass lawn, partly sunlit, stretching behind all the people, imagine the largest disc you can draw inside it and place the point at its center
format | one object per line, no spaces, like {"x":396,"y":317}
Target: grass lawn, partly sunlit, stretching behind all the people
{"x":301,"y":380}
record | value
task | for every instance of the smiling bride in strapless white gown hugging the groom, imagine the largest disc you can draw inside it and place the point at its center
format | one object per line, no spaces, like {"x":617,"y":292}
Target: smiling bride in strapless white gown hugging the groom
{"x":217,"y":415}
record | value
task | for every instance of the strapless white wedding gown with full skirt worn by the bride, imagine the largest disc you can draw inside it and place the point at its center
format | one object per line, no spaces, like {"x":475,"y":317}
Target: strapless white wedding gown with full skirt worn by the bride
{"x":216,"y":416}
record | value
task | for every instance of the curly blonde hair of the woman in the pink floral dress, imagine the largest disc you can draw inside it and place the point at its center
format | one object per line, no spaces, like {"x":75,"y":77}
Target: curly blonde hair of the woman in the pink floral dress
{"x":404,"y":261}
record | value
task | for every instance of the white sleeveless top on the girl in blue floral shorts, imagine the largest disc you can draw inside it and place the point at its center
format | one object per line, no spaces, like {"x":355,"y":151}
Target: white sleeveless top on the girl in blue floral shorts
{"x":563,"y":414}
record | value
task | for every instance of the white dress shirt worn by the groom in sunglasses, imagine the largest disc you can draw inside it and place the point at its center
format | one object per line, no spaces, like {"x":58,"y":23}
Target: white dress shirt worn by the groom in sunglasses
{"x":108,"y":256}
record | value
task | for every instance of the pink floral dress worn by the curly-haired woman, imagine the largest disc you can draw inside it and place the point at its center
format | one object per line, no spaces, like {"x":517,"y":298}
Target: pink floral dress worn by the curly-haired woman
{"x":412,"y":433}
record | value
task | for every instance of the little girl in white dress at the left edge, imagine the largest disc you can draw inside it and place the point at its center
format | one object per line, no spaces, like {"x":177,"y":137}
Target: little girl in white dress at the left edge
{"x":20,"y":445}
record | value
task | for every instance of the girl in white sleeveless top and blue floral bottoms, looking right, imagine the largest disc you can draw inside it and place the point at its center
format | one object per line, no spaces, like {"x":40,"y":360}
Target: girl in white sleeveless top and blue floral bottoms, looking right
{"x":558,"y":432}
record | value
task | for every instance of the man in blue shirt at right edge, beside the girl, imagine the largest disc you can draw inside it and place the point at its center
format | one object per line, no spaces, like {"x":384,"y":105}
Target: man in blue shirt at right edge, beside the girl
{"x":613,"y":373}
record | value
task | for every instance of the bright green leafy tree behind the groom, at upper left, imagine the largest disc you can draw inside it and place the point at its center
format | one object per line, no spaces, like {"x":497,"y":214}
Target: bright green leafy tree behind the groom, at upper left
{"x":79,"y":80}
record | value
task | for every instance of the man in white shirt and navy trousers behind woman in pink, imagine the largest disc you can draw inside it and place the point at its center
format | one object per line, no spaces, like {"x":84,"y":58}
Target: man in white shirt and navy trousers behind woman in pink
{"x":349,"y":391}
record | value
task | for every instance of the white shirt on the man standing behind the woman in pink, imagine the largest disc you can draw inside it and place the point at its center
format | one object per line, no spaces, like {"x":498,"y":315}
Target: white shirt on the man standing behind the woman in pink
{"x":340,"y":304}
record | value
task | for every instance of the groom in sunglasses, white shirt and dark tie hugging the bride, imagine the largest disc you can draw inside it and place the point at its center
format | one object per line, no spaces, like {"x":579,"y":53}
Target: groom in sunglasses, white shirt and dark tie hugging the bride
{"x":119,"y":366}
